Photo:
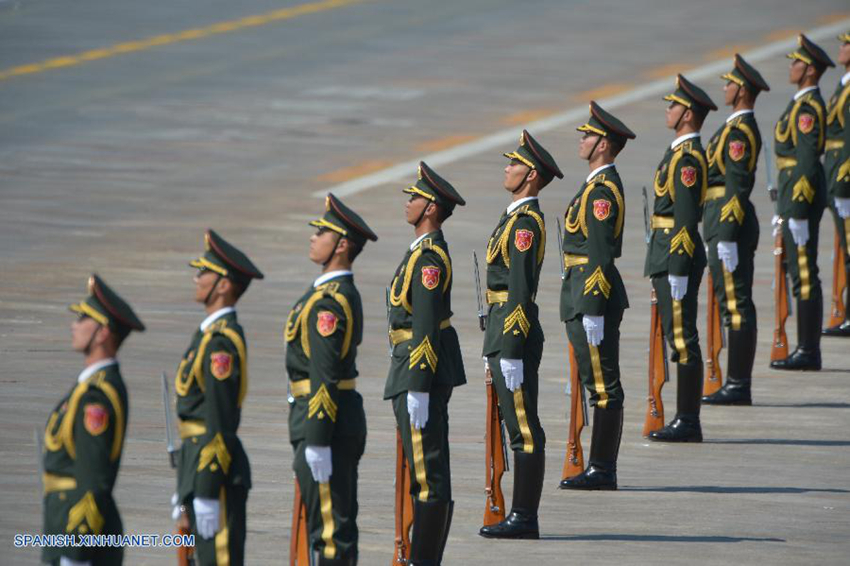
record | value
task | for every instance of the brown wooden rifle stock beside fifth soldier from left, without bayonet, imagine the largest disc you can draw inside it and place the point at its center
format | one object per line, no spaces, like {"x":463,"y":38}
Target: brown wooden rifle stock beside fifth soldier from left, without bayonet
{"x":494,"y":459}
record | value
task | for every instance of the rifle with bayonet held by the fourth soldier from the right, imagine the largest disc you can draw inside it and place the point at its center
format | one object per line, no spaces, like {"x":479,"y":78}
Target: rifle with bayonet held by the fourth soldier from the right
{"x":659,"y":373}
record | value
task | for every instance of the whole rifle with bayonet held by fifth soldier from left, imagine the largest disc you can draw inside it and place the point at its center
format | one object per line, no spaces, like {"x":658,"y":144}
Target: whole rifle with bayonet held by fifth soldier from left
{"x":495,"y":451}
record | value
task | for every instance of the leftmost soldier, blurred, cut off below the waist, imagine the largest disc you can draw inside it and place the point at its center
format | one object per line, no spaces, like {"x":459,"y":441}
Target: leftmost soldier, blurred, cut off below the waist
{"x":84,"y":436}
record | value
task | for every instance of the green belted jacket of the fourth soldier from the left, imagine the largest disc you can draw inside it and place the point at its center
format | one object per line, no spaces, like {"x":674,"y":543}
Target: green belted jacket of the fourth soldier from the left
{"x":426,"y":351}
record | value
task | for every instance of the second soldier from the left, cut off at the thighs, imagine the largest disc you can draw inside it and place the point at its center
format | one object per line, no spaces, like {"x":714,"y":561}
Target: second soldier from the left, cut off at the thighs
{"x":213,"y":473}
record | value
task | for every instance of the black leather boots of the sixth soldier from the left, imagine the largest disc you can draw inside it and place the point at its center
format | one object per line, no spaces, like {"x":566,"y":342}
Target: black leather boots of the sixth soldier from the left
{"x":601,"y":472}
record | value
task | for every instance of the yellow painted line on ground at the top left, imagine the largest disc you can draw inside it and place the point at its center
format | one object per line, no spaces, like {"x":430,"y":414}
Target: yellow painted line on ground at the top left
{"x":186,"y":35}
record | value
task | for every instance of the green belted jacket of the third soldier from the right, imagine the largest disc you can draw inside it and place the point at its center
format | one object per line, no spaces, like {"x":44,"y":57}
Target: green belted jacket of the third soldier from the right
{"x":732,"y":157}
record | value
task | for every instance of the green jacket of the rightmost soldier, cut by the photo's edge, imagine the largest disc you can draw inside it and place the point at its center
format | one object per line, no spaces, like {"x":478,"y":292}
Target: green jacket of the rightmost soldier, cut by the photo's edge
{"x":837,"y":157}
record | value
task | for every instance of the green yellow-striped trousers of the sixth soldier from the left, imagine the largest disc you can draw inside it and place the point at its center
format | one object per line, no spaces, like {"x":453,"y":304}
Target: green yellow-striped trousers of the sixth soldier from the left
{"x":599,"y":366}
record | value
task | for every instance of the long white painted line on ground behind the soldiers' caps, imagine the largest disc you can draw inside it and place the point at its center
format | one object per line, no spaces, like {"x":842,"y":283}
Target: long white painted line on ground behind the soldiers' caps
{"x":504,"y":138}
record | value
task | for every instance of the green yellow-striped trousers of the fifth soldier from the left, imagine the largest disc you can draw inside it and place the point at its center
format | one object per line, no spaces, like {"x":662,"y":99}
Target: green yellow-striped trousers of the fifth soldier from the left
{"x":519,"y":408}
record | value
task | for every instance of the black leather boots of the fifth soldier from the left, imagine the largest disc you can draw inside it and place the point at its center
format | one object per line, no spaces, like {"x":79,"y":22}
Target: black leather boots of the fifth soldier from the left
{"x":528,"y":483}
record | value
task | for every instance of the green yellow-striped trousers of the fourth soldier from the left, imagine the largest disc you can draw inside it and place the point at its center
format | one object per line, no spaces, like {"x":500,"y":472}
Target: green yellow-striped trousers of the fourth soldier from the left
{"x":427,"y":449}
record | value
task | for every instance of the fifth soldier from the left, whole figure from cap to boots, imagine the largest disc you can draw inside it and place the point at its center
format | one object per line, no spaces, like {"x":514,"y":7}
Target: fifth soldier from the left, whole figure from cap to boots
{"x":513,"y":339}
